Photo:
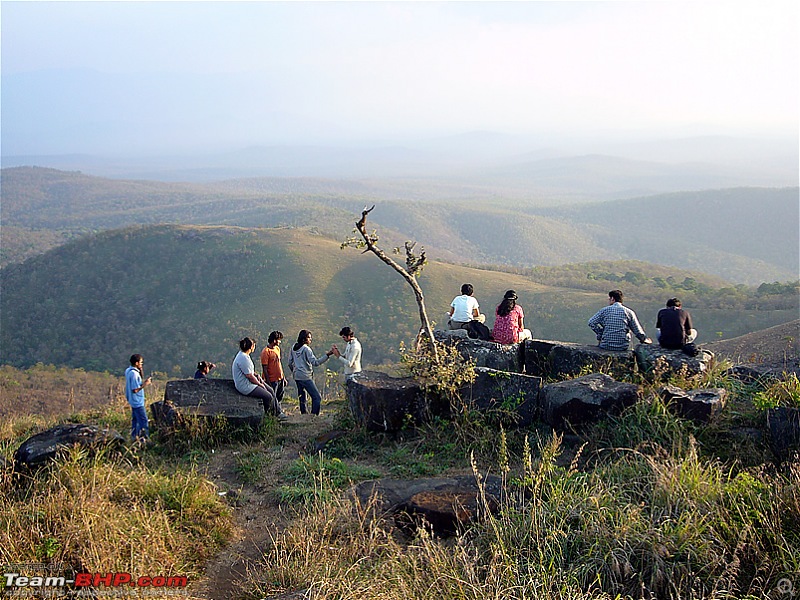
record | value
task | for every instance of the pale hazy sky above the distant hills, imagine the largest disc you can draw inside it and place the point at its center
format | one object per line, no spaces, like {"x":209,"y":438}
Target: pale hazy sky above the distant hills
{"x":90,"y":76}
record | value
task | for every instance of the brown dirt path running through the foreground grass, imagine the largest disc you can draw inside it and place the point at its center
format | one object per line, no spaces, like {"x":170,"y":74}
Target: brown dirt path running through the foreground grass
{"x":256,"y":512}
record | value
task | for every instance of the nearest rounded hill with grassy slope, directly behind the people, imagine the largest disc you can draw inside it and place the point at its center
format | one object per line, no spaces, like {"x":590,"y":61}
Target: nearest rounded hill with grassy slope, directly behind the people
{"x":180,"y":294}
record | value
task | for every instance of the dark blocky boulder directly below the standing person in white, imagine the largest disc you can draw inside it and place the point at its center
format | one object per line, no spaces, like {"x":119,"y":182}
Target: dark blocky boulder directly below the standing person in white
{"x":383,"y":403}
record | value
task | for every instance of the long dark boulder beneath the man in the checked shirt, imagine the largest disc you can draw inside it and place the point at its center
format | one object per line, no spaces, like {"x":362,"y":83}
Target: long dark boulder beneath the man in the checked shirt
{"x":554,"y":359}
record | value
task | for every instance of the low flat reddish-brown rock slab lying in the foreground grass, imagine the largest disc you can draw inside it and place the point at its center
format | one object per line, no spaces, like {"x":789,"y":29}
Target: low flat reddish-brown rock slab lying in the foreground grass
{"x":446,"y":504}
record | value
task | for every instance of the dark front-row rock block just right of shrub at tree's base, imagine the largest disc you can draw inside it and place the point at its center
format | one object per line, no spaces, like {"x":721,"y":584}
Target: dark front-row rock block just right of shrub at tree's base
{"x":516,"y":394}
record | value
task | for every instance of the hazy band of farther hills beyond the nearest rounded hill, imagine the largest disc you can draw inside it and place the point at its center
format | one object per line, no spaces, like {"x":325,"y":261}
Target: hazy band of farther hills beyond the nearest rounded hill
{"x":747,"y":235}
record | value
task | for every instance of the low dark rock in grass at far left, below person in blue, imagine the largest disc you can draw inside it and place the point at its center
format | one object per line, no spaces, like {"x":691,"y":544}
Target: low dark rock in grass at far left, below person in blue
{"x":46,"y":445}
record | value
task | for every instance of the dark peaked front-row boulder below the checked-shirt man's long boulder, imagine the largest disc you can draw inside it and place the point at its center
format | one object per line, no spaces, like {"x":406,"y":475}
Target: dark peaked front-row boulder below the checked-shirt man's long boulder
{"x":585,"y":399}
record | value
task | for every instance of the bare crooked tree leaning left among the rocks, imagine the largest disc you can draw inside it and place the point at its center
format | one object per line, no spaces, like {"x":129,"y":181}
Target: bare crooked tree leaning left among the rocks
{"x":414,"y":265}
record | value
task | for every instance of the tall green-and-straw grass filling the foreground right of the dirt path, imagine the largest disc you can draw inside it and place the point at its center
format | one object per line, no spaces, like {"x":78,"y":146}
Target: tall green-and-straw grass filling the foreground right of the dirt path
{"x":654,"y":522}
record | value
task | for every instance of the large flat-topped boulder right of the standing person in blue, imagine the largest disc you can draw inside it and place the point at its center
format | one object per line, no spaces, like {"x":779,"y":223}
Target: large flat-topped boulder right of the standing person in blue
{"x":208,"y":399}
